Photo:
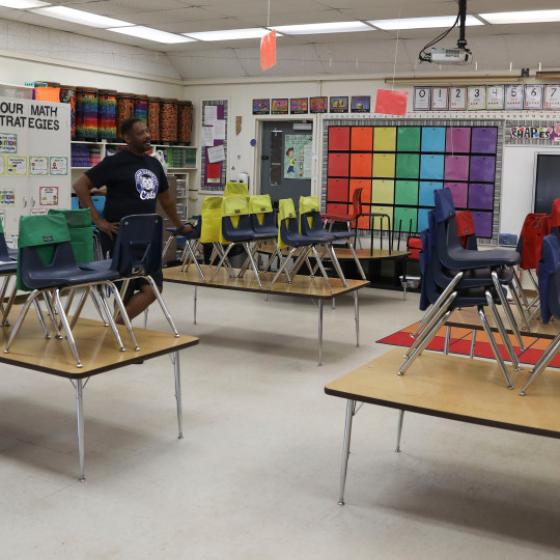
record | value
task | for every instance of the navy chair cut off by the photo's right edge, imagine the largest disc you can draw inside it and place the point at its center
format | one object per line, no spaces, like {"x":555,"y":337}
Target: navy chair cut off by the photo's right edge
{"x":549,"y":295}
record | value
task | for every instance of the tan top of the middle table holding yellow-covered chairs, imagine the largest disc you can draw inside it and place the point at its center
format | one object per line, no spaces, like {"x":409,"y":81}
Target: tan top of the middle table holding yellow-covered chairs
{"x":303,"y":286}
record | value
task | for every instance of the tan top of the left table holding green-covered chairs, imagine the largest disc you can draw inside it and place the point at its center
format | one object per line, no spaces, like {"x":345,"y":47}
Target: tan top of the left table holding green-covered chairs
{"x":96,"y":345}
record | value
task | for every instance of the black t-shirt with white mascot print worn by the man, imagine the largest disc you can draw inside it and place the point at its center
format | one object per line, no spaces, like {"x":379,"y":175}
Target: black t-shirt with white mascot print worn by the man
{"x":133,"y":184}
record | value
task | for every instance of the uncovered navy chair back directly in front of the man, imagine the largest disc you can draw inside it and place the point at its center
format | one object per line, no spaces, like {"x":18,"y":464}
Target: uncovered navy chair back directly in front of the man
{"x":138,"y":245}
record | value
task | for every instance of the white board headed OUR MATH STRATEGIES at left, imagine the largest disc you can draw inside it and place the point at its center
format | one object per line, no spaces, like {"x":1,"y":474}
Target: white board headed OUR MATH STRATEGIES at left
{"x":35,"y":160}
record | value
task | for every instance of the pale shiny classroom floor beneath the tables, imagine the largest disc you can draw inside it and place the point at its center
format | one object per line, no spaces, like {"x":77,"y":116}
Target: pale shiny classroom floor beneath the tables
{"x":256,"y":476}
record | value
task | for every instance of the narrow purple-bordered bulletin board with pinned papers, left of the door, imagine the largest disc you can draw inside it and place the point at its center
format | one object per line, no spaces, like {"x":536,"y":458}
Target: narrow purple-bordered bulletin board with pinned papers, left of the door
{"x":214,"y":144}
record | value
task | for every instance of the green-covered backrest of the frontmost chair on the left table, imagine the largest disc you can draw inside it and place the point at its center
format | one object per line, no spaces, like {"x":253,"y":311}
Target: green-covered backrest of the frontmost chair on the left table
{"x":43,"y":242}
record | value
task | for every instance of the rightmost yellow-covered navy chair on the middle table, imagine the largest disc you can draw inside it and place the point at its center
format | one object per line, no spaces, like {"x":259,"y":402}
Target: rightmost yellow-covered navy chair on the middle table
{"x":311,"y":223}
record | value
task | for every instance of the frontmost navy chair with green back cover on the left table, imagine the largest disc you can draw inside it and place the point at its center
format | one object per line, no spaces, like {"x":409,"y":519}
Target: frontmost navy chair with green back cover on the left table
{"x":47,"y":265}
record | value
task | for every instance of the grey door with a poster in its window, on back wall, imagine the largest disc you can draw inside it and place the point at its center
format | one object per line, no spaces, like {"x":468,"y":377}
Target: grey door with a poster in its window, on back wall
{"x":286,"y":159}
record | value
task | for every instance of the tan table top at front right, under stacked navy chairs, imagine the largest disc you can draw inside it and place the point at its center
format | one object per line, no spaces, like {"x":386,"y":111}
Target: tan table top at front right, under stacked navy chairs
{"x":456,"y":388}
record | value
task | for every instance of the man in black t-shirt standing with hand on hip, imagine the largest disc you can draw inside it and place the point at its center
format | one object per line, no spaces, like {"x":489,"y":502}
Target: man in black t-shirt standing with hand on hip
{"x":135,"y":182}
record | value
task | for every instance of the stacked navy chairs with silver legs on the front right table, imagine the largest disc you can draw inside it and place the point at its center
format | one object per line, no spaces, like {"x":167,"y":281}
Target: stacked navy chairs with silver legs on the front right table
{"x":454,"y":277}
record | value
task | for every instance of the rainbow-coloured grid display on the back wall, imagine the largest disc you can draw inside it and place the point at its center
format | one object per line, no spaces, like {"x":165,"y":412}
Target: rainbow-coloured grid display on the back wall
{"x":400,"y":167}
